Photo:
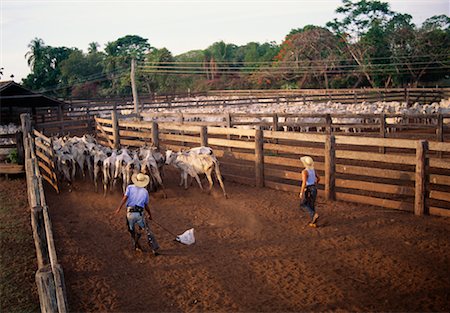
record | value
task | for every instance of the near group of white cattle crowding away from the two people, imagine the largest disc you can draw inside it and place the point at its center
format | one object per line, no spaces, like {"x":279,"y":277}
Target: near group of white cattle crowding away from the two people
{"x":83,"y":156}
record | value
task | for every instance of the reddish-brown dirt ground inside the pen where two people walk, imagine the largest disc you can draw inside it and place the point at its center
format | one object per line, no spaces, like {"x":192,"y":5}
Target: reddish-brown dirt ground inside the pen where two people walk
{"x":253,"y":253}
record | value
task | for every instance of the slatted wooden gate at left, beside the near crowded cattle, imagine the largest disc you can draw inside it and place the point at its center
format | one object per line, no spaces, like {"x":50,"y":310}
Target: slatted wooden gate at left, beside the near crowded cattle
{"x":46,"y":159}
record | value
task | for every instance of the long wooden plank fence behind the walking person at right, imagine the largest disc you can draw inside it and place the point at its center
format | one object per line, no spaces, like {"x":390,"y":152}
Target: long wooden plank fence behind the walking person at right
{"x":402,"y":174}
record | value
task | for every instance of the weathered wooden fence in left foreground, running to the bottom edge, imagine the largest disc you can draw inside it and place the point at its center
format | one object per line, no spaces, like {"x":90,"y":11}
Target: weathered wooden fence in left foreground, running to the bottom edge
{"x":49,"y":276}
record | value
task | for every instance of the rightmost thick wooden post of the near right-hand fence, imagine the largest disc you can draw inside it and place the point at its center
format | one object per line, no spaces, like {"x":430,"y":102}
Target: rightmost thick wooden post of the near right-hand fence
{"x":421,"y":178}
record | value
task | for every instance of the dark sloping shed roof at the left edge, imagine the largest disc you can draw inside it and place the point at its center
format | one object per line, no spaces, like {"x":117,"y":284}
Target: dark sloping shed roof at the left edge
{"x":13,"y":94}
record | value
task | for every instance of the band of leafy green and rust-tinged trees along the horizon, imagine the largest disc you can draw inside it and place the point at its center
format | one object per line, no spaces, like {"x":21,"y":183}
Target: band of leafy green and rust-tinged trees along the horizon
{"x":368,"y":44}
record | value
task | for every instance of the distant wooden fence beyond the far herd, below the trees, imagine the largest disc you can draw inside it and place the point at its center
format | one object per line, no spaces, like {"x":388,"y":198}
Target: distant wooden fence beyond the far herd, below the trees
{"x":77,"y":115}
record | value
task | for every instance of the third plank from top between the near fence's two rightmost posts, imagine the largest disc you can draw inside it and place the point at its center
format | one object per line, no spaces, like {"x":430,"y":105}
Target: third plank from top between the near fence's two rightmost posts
{"x":375,"y":172}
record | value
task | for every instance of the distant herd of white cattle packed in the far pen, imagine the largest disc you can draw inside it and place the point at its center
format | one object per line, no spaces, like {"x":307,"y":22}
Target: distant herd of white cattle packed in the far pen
{"x":215,"y":114}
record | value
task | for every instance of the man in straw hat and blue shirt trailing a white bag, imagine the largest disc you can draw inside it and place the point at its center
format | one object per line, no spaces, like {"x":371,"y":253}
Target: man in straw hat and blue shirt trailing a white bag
{"x":136,"y":197}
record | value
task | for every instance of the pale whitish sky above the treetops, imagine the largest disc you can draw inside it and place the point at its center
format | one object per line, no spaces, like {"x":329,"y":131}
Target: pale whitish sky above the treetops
{"x":178,"y":25}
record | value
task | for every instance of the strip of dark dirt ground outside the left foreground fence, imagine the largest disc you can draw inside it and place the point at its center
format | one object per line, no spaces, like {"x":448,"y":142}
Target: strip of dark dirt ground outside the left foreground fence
{"x":18,"y":291}
